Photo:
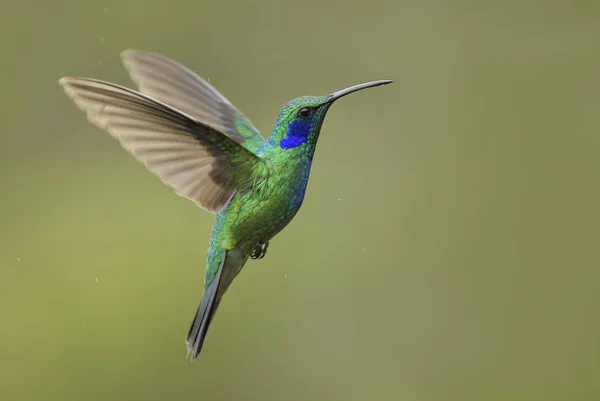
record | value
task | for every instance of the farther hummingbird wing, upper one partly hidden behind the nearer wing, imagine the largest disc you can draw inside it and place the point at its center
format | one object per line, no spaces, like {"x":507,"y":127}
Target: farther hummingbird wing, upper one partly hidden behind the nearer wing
{"x":178,"y":86}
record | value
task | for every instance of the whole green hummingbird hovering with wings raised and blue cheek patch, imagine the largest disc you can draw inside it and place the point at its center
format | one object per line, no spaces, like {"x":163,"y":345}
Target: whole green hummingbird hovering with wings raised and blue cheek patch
{"x":189,"y":135}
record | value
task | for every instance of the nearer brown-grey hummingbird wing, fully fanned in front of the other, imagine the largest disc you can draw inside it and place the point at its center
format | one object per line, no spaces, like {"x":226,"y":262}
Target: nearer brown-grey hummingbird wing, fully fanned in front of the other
{"x":199,"y":162}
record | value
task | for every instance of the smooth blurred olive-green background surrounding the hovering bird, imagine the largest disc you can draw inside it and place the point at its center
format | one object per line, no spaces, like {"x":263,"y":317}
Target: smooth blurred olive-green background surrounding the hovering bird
{"x":448,"y":247}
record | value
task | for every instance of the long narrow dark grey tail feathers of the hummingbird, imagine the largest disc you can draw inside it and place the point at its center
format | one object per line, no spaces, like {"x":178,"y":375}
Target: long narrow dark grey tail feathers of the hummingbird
{"x":206,"y":311}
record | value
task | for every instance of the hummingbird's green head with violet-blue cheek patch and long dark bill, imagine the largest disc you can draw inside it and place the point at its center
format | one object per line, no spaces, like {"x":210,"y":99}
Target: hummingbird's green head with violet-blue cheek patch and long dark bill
{"x":300,"y":120}
